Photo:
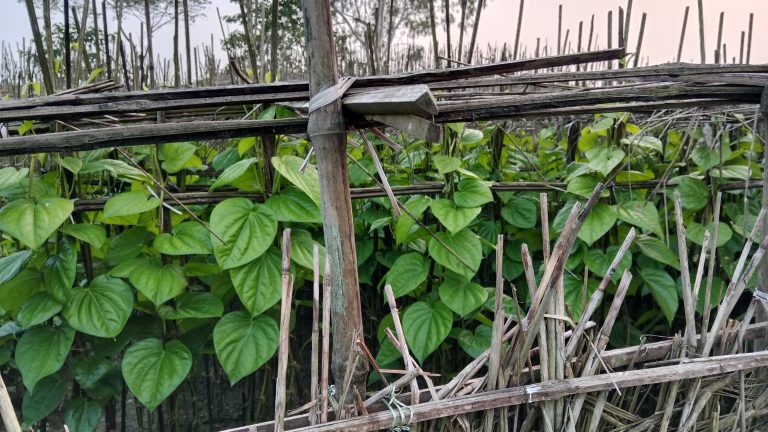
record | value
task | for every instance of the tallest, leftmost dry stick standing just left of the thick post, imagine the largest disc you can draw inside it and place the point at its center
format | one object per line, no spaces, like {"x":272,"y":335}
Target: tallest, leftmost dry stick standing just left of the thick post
{"x":285,"y":329}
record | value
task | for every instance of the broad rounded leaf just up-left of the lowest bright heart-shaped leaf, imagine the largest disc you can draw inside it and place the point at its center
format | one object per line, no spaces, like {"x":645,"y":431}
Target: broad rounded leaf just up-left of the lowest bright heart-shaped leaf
{"x":102,"y":308}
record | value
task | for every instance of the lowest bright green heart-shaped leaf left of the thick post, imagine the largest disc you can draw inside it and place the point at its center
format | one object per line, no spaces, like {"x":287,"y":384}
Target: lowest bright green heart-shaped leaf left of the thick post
{"x":153,"y":371}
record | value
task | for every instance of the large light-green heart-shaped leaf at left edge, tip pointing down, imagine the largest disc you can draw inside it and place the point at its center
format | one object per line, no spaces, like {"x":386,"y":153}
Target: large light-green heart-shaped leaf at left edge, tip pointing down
{"x":32,"y":221}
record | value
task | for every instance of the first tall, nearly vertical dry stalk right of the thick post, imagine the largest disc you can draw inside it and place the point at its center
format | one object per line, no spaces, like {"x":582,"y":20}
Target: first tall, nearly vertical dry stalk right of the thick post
{"x":496,"y":332}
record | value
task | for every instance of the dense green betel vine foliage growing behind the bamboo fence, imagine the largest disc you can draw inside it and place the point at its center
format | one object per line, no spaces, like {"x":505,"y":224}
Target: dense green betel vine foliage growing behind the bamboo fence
{"x":138,"y":292}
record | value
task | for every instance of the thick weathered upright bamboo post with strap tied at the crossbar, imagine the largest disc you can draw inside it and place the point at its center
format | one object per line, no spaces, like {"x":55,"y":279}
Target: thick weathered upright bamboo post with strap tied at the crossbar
{"x":326,"y":131}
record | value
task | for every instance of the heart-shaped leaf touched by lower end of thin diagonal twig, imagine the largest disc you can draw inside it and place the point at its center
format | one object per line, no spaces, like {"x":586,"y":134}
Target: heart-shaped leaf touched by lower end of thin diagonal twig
{"x":465,"y":244}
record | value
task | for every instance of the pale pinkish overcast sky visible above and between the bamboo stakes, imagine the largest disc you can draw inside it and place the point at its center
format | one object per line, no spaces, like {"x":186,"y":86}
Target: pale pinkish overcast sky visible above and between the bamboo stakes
{"x":662,"y":32}
